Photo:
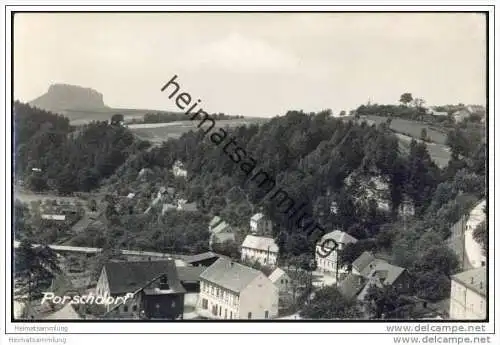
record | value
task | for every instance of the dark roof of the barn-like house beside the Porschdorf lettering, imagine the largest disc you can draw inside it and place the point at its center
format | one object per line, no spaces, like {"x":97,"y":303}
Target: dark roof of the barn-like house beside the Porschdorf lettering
{"x":130,"y":276}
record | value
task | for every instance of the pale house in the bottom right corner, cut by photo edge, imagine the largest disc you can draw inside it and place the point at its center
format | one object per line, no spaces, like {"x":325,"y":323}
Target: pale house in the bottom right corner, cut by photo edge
{"x":468,"y":295}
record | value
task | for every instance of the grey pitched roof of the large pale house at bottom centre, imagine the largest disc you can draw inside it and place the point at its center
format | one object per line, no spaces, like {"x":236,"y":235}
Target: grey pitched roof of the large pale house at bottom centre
{"x":230,"y":275}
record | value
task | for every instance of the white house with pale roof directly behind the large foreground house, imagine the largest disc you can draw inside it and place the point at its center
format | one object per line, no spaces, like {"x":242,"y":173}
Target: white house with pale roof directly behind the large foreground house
{"x":259,"y":249}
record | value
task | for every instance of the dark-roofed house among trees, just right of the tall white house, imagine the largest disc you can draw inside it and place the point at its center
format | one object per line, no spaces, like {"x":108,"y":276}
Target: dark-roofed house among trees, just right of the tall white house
{"x":368,"y":271}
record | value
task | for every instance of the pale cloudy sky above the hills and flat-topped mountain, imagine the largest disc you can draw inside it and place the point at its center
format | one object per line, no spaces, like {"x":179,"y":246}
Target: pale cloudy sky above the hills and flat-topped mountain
{"x":255,"y":64}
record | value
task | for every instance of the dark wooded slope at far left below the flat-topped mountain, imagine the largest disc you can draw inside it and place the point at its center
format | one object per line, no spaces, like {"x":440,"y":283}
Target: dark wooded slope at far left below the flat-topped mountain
{"x":51,"y":155}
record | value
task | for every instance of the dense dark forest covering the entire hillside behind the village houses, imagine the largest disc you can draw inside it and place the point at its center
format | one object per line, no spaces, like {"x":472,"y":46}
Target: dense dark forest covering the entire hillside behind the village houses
{"x":309,"y":154}
